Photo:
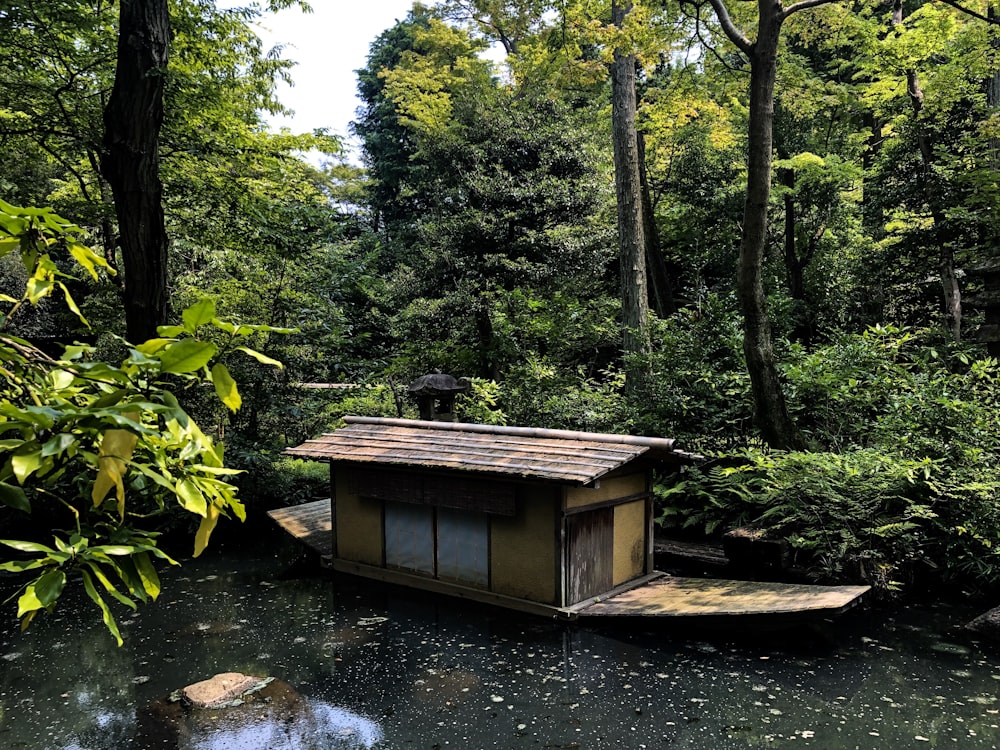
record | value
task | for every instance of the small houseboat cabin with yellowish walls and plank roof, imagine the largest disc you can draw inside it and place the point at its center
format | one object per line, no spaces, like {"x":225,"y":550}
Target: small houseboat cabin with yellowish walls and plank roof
{"x":538,"y":520}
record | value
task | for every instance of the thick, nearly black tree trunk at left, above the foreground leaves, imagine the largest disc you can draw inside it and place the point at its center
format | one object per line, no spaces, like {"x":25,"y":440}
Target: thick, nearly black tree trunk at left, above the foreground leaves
{"x":132,"y":121}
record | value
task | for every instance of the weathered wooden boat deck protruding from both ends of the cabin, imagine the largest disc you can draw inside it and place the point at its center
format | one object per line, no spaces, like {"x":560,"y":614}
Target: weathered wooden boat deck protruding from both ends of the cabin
{"x":696,"y":600}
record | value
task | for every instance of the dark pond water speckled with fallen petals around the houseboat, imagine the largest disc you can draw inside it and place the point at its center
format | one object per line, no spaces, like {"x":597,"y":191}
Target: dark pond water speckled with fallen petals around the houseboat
{"x":381,"y":667}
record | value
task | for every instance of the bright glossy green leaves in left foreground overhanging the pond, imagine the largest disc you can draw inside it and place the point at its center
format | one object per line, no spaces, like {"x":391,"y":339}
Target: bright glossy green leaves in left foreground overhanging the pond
{"x":100,"y":448}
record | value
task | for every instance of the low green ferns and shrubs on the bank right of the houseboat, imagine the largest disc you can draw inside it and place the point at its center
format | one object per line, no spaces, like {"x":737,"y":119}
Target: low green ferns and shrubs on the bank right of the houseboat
{"x":912,"y":486}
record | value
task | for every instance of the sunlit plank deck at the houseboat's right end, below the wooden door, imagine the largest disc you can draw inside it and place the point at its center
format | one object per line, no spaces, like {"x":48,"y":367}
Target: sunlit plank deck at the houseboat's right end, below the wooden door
{"x":671,"y":597}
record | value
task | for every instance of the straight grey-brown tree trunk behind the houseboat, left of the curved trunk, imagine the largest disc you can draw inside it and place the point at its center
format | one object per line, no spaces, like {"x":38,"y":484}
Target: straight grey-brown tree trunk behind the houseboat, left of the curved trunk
{"x":631,"y":243}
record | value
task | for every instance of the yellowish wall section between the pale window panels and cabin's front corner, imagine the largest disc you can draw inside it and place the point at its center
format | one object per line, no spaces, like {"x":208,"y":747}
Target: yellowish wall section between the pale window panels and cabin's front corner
{"x":523,"y":548}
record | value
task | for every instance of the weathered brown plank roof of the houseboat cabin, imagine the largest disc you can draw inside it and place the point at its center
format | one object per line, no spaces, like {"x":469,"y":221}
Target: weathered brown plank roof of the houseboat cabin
{"x":561,"y":455}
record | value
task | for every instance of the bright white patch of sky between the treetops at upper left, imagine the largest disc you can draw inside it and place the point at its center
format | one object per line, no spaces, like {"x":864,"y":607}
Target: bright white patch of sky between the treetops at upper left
{"x":328,"y":44}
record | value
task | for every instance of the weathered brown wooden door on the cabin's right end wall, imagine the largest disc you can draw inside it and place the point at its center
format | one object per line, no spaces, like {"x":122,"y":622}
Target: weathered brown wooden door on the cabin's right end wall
{"x":589,"y":554}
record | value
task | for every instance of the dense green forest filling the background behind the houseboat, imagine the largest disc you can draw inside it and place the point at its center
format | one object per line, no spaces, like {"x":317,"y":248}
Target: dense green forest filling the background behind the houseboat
{"x":747,"y":226}
